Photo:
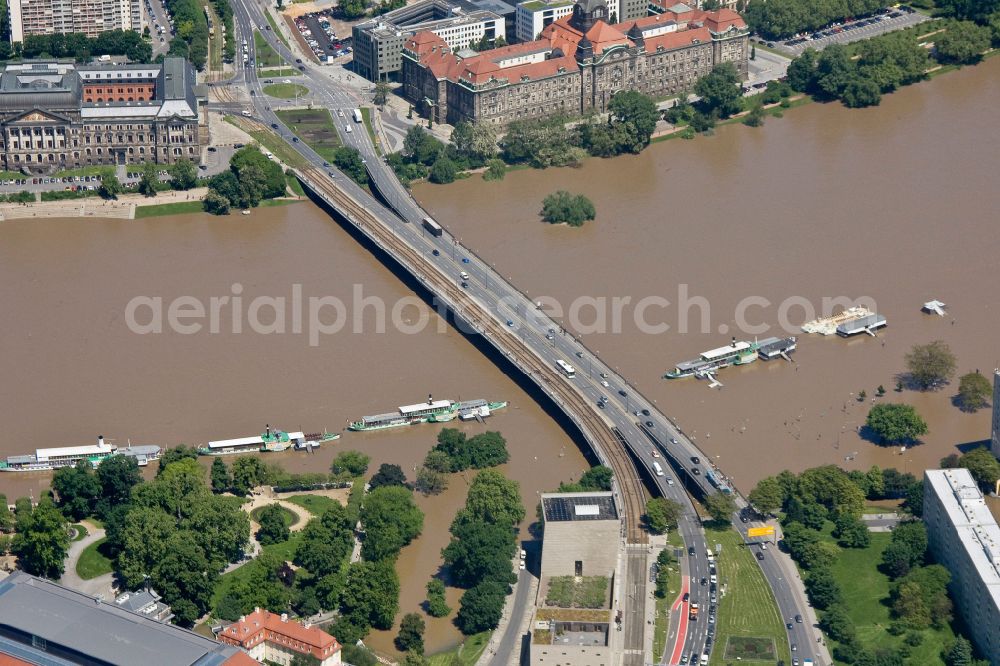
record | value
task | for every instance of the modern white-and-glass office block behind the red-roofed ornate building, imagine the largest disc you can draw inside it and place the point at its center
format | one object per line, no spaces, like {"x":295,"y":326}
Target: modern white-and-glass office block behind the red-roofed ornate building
{"x":378,"y":43}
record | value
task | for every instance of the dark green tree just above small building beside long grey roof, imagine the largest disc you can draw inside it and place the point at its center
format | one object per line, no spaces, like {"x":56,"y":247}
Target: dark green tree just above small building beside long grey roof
{"x":185,"y":579}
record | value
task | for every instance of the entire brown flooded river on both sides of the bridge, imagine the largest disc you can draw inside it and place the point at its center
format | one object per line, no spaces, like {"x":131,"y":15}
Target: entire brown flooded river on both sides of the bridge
{"x":897,"y":203}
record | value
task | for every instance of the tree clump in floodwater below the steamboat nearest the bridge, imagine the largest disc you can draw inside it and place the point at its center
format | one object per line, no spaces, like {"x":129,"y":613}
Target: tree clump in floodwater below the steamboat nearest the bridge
{"x":454,"y":452}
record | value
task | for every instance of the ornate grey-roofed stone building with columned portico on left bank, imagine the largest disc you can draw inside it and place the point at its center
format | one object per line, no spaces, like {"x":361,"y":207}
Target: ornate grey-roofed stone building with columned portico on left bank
{"x":58,"y":115}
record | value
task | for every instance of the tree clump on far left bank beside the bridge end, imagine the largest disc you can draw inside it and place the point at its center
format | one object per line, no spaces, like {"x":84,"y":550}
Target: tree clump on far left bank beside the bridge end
{"x":251,"y":178}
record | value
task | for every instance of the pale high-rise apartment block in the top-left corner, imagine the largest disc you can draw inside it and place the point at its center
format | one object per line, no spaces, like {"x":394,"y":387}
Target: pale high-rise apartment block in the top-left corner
{"x":91,"y":17}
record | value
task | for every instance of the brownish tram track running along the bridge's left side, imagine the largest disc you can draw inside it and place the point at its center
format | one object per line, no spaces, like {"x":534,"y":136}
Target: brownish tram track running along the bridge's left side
{"x":607,"y":440}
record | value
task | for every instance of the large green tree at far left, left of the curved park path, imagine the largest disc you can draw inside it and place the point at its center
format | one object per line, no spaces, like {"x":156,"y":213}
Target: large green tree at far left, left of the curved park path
{"x":41,"y":540}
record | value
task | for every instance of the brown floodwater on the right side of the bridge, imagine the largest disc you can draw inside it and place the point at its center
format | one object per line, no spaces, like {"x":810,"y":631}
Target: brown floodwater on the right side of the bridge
{"x":898,"y":203}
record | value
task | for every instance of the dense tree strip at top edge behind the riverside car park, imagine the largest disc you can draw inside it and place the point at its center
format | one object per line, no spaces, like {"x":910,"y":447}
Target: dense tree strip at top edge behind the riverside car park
{"x":779,"y":19}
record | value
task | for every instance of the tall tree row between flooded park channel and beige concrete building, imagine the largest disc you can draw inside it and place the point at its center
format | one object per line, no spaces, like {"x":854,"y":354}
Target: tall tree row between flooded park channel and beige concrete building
{"x":482,"y":545}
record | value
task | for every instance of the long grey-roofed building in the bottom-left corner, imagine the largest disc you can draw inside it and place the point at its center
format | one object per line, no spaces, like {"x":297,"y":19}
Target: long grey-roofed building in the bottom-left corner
{"x":45,"y":624}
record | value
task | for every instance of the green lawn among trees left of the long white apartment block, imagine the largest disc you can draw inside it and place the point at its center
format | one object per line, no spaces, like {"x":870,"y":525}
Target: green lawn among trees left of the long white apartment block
{"x":866,"y":592}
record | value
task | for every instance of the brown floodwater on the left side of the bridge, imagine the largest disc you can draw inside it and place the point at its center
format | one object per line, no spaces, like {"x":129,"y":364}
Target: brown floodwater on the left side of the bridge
{"x":72,"y":369}
